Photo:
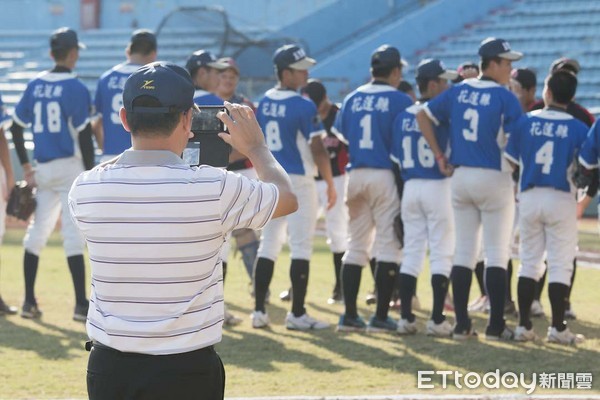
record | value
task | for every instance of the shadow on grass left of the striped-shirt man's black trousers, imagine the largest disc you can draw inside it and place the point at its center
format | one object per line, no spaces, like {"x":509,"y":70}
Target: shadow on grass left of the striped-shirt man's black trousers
{"x":54,"y":345}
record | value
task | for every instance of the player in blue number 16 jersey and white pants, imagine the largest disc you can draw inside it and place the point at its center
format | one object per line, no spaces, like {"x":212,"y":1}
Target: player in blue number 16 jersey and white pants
{"x":426,"y":204}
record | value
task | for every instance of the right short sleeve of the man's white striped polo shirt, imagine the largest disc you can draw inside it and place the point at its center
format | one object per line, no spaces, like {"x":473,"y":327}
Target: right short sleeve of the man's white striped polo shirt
{"x":246,"y":203}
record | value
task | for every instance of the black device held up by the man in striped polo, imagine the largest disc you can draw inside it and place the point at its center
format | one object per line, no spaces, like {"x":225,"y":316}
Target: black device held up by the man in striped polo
{"x":206,"y":147}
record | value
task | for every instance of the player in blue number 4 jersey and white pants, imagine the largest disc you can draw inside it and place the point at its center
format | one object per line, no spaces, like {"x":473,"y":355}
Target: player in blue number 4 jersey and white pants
{"x":544,"y":144}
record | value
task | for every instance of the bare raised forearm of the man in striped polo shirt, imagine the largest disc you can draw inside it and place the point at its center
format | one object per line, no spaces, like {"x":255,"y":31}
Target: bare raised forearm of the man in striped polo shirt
{"x":269,"y":170}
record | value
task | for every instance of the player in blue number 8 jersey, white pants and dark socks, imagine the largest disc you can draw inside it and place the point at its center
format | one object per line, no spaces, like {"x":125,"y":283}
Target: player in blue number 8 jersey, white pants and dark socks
{"x":293,"y":133}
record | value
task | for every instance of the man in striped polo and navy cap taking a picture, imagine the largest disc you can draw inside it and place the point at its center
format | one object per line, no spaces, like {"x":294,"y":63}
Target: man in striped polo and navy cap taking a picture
{"x":155,"y":228}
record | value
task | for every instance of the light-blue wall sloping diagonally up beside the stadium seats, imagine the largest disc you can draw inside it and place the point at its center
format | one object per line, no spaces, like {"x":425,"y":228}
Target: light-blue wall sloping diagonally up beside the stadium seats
{"x":416,"y":31}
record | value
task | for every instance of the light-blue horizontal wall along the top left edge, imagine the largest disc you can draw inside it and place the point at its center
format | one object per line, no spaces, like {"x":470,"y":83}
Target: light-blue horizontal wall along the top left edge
{"x":255,"y":14}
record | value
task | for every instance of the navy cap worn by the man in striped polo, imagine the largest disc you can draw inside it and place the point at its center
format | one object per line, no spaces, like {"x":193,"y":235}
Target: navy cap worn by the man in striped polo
{"x":168,"y":83}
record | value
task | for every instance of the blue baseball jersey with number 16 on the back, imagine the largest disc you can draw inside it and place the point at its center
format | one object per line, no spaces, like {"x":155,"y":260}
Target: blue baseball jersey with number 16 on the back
{"x":411,"y":151}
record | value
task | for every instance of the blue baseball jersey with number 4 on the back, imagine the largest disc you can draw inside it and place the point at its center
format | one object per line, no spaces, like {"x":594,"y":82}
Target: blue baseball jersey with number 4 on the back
{"x":544,"y":144}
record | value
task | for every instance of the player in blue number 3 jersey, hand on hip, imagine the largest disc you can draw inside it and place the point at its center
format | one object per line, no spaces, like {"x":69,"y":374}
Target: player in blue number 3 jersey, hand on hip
{"x":481,"y":113}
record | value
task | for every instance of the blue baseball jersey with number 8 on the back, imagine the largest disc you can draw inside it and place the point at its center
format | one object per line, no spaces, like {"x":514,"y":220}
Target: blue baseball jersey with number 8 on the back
{"x":289,"y":121}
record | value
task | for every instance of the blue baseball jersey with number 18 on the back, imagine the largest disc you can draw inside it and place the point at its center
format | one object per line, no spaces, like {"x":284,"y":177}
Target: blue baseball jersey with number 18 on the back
{"x":57,"y":105}
